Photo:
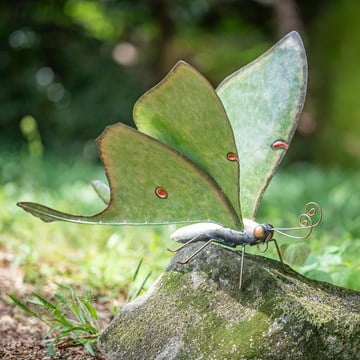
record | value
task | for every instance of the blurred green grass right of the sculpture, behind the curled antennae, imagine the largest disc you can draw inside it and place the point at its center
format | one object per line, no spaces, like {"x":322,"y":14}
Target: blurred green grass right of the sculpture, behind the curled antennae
{"x":334,"y":244}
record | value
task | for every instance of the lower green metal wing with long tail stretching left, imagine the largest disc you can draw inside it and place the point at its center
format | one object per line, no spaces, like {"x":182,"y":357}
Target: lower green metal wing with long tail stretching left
{"x":150,"y":183}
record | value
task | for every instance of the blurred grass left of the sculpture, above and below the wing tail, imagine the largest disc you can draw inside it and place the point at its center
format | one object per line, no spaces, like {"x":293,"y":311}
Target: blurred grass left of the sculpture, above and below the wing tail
{"x":103,"y":257}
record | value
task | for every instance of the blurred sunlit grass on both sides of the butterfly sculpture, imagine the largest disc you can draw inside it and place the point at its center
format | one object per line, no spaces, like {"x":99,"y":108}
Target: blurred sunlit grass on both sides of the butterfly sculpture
{"x":104,"y":257}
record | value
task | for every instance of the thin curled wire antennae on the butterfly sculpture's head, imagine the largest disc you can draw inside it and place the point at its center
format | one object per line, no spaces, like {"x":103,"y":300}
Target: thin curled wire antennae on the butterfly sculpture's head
{"x":308,"y":220}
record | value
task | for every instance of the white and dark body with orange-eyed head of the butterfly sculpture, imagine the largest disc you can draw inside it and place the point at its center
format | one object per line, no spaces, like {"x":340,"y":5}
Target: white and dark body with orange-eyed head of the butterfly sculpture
{"x":253,"y":233}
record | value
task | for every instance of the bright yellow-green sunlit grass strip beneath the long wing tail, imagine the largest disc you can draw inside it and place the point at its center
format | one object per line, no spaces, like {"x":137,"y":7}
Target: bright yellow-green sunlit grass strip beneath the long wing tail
{"x":101,"y":256}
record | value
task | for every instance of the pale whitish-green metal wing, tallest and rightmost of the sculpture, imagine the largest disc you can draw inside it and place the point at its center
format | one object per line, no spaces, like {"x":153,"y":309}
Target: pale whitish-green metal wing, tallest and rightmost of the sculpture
{"x":263,"y":101}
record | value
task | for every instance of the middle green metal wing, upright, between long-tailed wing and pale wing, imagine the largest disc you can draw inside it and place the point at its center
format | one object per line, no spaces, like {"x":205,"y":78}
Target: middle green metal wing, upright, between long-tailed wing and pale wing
{"x":184,"y":112}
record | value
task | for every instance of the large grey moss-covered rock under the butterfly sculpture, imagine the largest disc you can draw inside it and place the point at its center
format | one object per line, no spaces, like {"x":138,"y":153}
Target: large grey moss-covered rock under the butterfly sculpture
{"x":196,"y":311}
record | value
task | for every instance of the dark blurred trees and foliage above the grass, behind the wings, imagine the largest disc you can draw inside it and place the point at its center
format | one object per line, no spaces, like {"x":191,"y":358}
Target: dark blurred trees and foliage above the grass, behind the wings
{"x":79,"y":65}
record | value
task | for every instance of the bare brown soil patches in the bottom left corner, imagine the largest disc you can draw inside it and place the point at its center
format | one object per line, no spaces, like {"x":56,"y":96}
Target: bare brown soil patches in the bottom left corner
{"x":22,"y":337}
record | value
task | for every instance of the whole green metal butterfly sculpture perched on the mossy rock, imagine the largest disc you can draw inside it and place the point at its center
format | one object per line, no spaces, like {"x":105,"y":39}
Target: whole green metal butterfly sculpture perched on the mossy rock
{"x":183,"y":165}
